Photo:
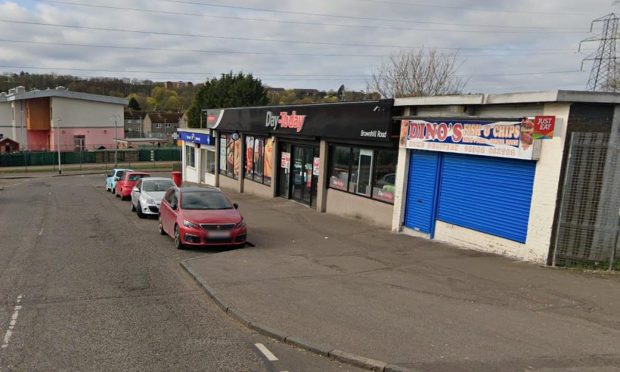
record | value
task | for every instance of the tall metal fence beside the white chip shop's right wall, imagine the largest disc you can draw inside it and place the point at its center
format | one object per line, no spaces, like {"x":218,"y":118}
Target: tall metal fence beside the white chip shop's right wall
{"x":589,"y":223}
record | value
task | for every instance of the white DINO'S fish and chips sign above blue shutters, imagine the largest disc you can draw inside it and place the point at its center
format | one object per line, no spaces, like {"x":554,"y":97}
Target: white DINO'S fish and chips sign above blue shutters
{"x":510,"y":138}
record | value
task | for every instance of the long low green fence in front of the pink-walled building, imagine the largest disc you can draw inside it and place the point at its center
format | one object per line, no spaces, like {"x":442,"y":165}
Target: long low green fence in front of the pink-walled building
{"x":21,"y":159}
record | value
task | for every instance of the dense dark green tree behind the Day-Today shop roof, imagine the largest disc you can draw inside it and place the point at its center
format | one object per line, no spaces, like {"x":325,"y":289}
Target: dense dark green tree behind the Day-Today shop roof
{"x":229,"y":90}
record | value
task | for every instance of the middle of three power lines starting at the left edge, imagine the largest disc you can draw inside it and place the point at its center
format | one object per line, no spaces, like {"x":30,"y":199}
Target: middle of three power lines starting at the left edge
{"x":268,"y":53}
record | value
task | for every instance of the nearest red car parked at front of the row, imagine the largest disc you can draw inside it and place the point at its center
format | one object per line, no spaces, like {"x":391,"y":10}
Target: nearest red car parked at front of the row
{"x":197,"y":216}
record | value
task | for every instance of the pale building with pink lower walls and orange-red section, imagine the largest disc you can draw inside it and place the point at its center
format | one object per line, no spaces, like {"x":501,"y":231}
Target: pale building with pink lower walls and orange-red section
{"x":44,"y":120}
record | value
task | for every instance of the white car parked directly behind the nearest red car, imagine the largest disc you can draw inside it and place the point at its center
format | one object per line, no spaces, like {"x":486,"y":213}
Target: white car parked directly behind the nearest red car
{"x":147,"y":194}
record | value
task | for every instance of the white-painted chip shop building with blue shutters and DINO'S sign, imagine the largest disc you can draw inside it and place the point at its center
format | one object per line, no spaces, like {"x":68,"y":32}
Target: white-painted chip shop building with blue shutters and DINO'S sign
{"x":486,"y":172}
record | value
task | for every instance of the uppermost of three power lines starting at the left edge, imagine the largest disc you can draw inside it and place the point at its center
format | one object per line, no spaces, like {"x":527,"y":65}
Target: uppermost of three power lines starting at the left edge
{"x":151,"y":32}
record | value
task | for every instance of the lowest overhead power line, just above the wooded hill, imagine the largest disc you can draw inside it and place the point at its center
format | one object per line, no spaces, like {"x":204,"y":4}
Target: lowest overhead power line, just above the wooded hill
{"x":360,"y":77}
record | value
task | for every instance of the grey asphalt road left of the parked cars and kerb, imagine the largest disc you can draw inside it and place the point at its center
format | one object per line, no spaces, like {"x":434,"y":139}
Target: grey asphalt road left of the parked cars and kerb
{"x":86,"y":285}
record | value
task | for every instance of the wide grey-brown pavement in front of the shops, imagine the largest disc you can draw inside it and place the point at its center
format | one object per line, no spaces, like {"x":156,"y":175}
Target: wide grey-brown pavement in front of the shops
{"x":334,"y":284}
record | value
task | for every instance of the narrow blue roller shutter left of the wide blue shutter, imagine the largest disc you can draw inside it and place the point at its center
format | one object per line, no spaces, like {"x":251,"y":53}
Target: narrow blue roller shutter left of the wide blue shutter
{"x":421,"y":191}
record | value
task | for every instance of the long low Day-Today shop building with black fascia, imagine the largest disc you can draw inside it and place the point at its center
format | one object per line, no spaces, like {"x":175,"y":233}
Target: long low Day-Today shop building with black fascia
{"x":336,"y":158}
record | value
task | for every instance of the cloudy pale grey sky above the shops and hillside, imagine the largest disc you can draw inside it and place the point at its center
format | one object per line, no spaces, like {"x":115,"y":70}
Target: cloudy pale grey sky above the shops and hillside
{"x":504,"y":45}
